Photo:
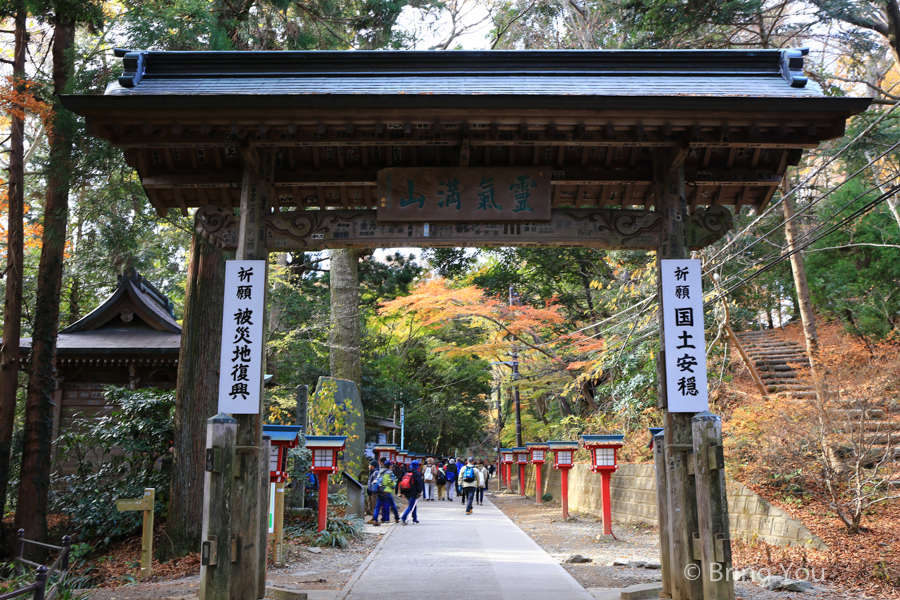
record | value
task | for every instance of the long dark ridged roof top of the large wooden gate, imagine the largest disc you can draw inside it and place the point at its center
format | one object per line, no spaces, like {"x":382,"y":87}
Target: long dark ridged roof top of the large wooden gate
{"x":367,"y":76}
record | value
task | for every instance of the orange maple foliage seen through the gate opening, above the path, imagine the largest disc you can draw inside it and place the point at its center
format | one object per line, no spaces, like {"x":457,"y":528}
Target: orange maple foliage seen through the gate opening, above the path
{"x":538,"y":332}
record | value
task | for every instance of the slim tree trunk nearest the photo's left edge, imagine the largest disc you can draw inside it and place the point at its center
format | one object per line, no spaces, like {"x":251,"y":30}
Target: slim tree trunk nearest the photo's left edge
{"x":12,"y":312}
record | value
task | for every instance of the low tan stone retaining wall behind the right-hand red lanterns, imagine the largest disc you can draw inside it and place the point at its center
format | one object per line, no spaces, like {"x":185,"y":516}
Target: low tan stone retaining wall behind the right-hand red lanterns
{"x":633,"y":491}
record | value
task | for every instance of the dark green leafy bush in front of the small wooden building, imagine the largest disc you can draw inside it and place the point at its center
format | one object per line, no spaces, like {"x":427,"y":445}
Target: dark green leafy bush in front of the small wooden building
{"x":142,"y":428}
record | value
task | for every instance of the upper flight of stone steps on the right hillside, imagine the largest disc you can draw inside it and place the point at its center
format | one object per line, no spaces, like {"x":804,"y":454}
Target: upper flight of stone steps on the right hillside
{"x":780,"y":364}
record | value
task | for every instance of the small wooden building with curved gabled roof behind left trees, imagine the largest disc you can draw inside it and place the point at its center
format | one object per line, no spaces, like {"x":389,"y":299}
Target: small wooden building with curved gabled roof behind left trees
{"x":132,"y":339}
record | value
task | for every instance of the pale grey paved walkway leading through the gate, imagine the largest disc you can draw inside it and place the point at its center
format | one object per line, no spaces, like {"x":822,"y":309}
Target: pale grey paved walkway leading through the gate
{"x":449,"y":555}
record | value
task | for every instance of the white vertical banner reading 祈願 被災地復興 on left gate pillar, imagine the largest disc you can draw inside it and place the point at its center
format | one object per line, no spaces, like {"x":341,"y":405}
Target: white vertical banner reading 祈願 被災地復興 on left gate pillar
{"x":243,"y":343}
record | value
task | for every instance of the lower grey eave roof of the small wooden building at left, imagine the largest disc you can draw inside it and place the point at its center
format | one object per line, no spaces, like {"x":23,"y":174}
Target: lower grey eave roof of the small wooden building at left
{"x":108,"y":340}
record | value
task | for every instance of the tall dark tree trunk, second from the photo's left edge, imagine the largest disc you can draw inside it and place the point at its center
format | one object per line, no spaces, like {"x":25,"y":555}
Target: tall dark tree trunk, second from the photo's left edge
{"x":34,"y":482}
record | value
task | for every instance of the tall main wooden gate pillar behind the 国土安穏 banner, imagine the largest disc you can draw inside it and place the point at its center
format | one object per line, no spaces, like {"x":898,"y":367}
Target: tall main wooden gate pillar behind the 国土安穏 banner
{"x":685,"y":584}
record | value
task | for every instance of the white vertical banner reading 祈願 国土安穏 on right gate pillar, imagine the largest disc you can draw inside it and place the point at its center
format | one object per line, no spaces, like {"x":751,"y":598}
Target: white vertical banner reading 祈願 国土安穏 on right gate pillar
{"x":682,"y":305}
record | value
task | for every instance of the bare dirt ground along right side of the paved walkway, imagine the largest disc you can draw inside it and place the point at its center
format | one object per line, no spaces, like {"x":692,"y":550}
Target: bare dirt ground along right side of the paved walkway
{"x":579,"y":535}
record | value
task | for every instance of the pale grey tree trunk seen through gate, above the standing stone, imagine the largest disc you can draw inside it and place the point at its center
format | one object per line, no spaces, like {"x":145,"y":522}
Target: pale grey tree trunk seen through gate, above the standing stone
{"x":345,"y":359}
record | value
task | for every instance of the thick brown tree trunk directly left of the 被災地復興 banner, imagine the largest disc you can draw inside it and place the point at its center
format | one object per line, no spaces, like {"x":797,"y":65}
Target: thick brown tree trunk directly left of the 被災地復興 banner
{"x":196,"y":396}
